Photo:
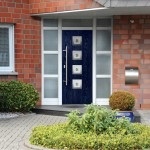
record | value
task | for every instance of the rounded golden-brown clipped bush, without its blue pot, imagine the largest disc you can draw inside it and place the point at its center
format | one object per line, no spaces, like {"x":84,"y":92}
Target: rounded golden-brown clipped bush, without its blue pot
{"x":122,"y":100}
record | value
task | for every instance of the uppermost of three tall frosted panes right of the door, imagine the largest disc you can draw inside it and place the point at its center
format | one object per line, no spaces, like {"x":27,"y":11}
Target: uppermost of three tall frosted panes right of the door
{"x":103,"y":40}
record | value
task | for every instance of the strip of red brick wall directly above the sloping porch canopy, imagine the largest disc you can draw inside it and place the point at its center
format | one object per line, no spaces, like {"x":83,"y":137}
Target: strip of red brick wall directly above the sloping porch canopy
{"x":46,"y":6}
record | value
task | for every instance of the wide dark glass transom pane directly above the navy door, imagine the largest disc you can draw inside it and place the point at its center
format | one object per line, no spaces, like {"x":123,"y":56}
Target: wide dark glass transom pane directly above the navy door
{"x":77,"y":23}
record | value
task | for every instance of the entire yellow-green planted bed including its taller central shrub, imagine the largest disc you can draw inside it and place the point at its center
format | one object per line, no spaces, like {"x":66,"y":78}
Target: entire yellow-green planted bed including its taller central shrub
{"x":96,"y":129}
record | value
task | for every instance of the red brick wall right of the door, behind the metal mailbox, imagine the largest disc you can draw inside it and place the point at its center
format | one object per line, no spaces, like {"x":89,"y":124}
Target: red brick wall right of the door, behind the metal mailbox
{"x":131,"y":47}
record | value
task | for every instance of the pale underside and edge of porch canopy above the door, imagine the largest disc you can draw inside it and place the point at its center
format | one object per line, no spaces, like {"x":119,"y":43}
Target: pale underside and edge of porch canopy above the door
{"x":98,"y":12}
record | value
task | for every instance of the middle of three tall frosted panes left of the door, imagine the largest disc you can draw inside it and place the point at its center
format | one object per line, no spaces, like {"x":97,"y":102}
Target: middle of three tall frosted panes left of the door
{"x":50,"y":64}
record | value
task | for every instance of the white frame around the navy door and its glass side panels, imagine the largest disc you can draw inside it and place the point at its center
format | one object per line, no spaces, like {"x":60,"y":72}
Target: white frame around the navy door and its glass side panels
{"x":58,"y":101}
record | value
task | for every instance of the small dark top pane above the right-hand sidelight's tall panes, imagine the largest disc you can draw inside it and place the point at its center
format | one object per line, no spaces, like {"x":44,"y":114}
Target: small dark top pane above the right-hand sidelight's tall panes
{"x":106,"y":22}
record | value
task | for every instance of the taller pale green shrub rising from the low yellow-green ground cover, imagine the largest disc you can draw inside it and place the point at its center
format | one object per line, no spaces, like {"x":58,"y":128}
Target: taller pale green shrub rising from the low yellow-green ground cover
{"x":97,"y":120}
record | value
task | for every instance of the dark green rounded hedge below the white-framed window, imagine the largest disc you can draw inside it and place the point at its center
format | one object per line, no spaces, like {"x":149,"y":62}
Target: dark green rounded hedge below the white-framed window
{"x":17,"y":96}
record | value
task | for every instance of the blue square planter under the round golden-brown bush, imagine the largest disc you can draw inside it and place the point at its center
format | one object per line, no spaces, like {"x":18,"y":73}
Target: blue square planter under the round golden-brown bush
{"x":128,"y":114}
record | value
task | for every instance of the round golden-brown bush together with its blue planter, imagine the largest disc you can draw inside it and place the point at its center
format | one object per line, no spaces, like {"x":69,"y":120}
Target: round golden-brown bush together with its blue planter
{"x":123,"y":102}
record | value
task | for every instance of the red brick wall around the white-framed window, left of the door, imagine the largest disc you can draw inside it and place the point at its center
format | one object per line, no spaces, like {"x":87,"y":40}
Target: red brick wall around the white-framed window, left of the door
{"x":27,"y":33}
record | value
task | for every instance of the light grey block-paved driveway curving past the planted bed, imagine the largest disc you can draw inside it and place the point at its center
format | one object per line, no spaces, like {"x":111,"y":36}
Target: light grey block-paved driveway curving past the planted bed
{"x":13,"y":132}
